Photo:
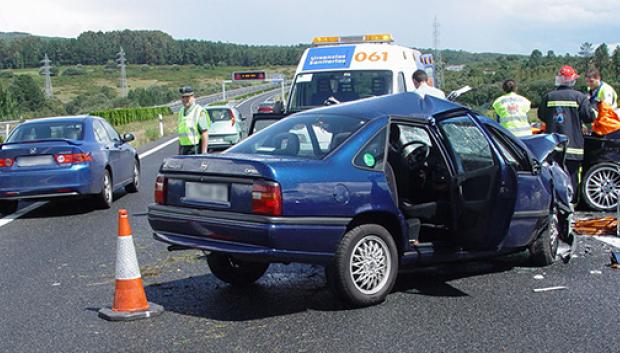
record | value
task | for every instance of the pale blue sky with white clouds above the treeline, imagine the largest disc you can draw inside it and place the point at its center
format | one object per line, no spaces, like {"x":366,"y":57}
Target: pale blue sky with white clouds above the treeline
{"x":505,"y":26}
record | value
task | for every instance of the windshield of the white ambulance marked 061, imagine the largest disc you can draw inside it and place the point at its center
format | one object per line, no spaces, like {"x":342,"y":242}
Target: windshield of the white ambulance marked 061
{"x":314,"y":89}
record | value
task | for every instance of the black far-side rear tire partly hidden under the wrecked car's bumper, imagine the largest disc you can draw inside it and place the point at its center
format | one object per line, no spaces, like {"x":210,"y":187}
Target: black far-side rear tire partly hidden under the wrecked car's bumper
{"x":235,"y":272}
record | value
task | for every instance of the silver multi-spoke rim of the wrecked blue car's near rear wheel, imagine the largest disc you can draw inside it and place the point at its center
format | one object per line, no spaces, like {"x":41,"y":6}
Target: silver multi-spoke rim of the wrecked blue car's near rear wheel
{"x":370,"y":264}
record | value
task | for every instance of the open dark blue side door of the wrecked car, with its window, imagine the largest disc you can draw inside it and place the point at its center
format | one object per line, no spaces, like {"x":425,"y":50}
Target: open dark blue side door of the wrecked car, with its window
{"x":483,"y":188}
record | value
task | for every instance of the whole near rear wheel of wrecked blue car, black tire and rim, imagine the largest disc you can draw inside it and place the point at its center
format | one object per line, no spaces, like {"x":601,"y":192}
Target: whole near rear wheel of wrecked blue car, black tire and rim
{"x":364,"y":267}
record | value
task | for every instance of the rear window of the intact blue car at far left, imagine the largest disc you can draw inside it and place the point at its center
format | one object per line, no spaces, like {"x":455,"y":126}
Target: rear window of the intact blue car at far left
{"x":47,"y":130}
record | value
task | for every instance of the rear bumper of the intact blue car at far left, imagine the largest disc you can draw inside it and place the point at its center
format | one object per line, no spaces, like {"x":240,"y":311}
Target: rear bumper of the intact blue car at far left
{"x":46,"y":183}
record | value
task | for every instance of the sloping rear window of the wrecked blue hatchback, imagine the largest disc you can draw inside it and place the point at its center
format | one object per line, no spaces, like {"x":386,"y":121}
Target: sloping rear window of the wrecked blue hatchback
{"x":305,"y":136}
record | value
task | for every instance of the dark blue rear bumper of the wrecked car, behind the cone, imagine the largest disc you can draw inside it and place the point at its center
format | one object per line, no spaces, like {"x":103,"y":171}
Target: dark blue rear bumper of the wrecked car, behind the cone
{"x":272,"y":239}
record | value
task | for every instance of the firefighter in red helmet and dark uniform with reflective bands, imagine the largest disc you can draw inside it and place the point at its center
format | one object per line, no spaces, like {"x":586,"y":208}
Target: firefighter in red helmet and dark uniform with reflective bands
{"x":564,"y":110}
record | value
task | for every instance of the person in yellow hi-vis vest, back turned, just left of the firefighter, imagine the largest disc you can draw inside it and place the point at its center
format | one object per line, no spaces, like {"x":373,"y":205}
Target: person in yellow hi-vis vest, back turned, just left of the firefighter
{"x":511,"y":110}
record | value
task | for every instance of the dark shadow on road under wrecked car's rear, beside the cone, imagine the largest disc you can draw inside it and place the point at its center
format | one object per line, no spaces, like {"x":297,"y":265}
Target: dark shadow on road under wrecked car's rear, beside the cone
{"x":283,"y":290}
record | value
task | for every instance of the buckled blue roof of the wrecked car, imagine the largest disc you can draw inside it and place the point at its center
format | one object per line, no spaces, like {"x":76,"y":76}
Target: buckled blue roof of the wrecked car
{"x":400,"y":104}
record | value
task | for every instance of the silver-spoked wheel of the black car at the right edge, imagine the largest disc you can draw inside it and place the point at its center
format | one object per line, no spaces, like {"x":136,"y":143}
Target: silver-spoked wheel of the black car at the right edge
{"x":599,"y":187}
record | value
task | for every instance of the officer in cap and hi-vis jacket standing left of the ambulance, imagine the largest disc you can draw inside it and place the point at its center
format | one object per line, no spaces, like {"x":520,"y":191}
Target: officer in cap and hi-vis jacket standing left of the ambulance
{"x":193,"y":126}
